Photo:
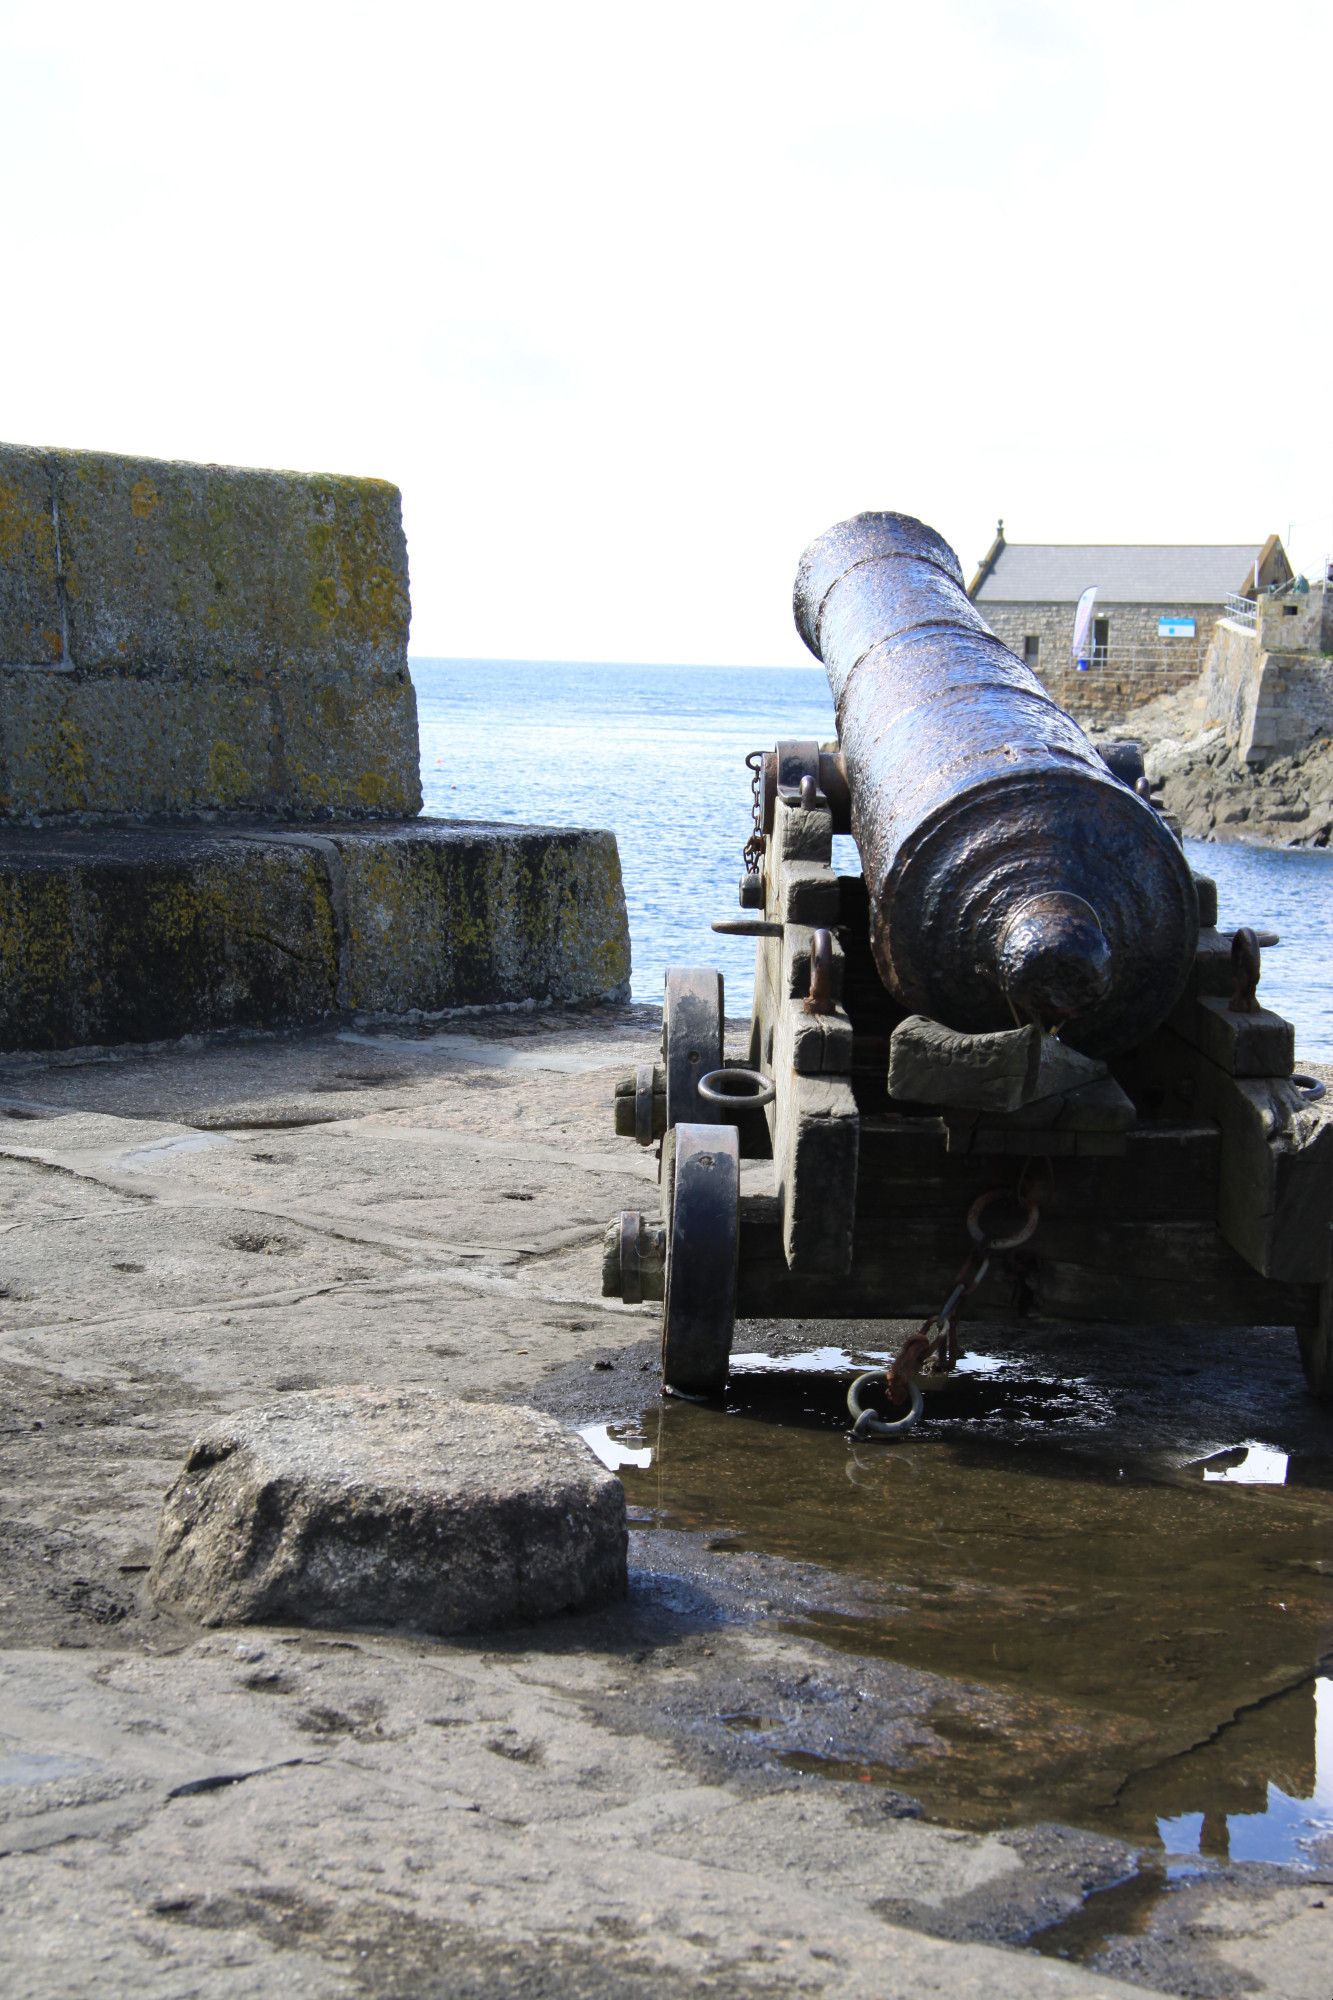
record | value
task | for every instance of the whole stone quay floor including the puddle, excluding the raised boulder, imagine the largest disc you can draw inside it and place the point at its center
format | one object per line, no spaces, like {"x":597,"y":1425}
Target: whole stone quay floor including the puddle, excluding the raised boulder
{"x":844,"y":1737}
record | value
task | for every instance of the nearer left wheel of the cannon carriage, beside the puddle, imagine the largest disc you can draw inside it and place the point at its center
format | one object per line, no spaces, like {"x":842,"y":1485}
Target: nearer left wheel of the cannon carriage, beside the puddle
{"x":702,"y":1259}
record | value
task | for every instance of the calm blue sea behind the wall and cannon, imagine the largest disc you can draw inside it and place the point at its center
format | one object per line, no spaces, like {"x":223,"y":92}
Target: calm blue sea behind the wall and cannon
{"x":657,"y":755}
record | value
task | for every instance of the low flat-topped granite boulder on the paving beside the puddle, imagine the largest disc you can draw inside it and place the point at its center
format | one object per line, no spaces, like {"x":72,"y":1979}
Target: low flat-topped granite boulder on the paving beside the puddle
{"x":361,"y":1507}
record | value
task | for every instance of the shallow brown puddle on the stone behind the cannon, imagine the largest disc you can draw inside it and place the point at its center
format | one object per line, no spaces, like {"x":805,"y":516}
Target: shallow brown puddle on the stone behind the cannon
{"x":1136,"y":1645}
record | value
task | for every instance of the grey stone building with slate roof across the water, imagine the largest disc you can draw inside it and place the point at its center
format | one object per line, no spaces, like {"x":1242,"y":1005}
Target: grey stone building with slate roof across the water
{"x":1156,"y":611}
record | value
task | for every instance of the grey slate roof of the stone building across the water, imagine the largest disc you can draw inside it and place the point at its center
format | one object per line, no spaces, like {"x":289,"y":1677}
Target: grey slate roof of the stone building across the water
{"x":1126,"y":573}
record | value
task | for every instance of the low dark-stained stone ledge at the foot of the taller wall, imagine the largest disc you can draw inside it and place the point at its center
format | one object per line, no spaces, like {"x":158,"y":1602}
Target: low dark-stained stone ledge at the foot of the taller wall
{"x":139,"y":935}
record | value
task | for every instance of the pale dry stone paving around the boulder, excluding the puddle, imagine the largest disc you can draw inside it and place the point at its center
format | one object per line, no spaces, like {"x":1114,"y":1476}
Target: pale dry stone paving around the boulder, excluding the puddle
{"x":187,"y":1233}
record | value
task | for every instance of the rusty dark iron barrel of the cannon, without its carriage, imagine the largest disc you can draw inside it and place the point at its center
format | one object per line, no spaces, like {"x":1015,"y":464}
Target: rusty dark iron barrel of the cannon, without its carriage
{"x":1012,"y":875}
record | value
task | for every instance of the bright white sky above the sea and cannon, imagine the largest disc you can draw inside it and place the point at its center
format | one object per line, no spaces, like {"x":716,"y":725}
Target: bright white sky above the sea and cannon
{"x":635,"y":301}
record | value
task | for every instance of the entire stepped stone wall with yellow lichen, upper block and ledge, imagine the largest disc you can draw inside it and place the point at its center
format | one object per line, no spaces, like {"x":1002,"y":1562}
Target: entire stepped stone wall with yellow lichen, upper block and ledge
{"x":211,"y":779}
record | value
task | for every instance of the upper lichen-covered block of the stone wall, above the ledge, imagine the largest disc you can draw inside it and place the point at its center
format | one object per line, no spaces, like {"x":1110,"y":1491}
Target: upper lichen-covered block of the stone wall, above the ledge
{"x":181,"y":641}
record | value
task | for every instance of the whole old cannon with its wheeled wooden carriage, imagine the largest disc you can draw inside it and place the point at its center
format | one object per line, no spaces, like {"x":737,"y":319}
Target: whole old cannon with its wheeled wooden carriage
{"x":1010,"y":1067}
